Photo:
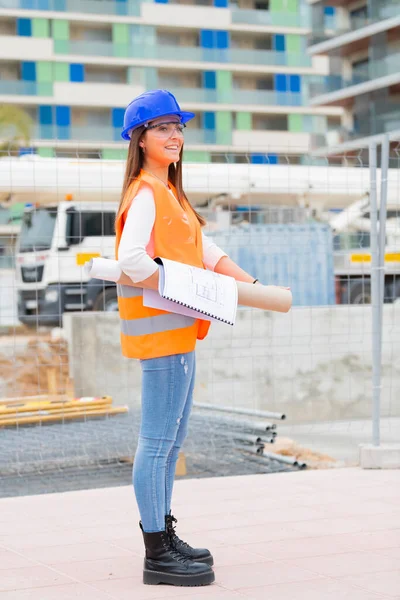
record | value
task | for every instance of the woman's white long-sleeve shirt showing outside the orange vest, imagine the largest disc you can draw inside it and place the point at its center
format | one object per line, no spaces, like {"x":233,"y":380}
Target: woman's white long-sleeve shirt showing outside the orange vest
{"x":137,"y":236}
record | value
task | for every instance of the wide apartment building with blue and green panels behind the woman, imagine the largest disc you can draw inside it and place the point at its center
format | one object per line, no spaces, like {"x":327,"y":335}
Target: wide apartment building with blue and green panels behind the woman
{"x":242,"y":67}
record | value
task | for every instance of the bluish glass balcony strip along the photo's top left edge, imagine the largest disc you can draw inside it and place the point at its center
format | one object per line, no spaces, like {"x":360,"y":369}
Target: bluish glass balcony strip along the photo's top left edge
{"x":110,"y":7}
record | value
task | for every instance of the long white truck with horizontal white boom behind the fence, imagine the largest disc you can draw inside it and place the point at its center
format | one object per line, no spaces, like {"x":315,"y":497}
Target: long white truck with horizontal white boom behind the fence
{"x":58,"y":237}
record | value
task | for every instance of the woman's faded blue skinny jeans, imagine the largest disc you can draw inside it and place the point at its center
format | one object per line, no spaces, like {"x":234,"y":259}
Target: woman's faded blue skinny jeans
{"x":167,"y":398}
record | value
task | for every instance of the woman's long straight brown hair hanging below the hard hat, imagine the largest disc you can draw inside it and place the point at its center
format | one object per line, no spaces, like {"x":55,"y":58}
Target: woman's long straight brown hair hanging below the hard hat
{"x":134,"y":164}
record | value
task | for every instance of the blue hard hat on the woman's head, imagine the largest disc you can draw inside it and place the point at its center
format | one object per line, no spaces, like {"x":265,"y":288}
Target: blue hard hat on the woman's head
{"x":150,"y":106}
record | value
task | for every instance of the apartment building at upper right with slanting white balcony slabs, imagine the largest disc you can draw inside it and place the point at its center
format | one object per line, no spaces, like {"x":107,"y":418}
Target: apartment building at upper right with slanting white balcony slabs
{"x":361,"y":40}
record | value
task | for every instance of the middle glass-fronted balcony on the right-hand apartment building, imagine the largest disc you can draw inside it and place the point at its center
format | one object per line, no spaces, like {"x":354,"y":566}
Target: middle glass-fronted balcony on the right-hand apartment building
{"x":377,"y":69}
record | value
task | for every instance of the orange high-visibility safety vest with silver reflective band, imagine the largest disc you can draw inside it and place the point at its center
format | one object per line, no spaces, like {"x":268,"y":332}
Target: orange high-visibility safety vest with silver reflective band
{"x":148,"y":332}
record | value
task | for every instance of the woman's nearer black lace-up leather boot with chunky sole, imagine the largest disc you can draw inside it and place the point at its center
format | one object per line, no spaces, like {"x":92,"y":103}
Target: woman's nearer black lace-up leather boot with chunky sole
{"x":164,"y":564}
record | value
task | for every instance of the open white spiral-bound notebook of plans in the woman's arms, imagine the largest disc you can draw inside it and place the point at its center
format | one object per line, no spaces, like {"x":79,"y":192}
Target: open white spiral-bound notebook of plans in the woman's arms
{"x":193,"y":292}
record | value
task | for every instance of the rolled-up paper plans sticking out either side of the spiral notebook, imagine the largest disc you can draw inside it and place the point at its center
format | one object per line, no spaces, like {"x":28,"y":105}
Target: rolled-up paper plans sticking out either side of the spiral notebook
{"x":265,"y":297}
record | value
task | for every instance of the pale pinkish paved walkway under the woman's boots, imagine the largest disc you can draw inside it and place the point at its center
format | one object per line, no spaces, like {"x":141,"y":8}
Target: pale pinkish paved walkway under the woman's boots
{"x":312,"y":535}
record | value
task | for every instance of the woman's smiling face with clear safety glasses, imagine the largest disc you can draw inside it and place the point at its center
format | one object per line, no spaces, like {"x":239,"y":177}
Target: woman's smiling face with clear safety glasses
{"x":162,"y":142}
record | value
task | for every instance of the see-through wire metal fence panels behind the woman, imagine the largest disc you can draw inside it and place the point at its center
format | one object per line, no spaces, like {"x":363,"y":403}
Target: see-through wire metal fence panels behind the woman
{"x":311,"y":384}
